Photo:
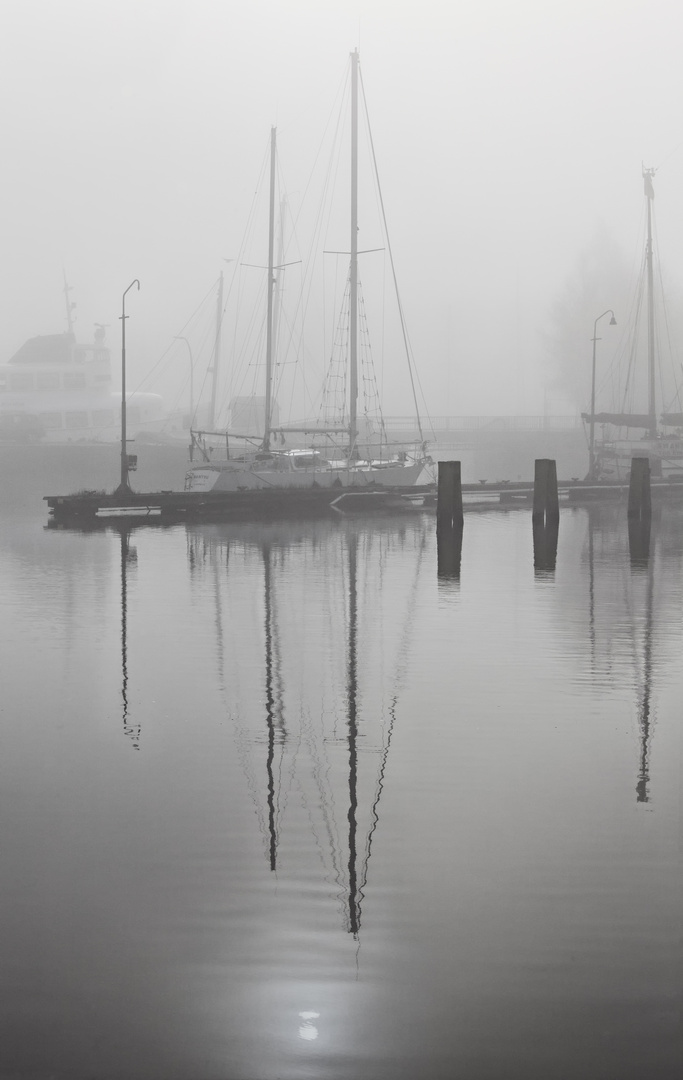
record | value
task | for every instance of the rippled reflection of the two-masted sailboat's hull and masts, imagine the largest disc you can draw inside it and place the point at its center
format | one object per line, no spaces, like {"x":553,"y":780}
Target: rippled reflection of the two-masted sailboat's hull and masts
{"x":327,"y":733}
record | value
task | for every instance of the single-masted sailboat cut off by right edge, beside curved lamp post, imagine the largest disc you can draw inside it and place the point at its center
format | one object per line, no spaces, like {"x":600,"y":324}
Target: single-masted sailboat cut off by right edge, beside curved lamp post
{"x":611,"y":455}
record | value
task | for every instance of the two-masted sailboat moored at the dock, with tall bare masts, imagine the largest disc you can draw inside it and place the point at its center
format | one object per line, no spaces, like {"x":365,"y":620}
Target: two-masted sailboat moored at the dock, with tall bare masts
{"x":353,"y":463}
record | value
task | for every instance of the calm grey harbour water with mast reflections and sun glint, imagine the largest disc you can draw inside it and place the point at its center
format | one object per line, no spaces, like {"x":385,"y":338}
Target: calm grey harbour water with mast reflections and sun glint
{"x":278,"y":803}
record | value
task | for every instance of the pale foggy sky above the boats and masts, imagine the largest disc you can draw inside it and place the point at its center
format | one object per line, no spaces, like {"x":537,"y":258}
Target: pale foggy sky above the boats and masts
{"x":508,"y":132}
